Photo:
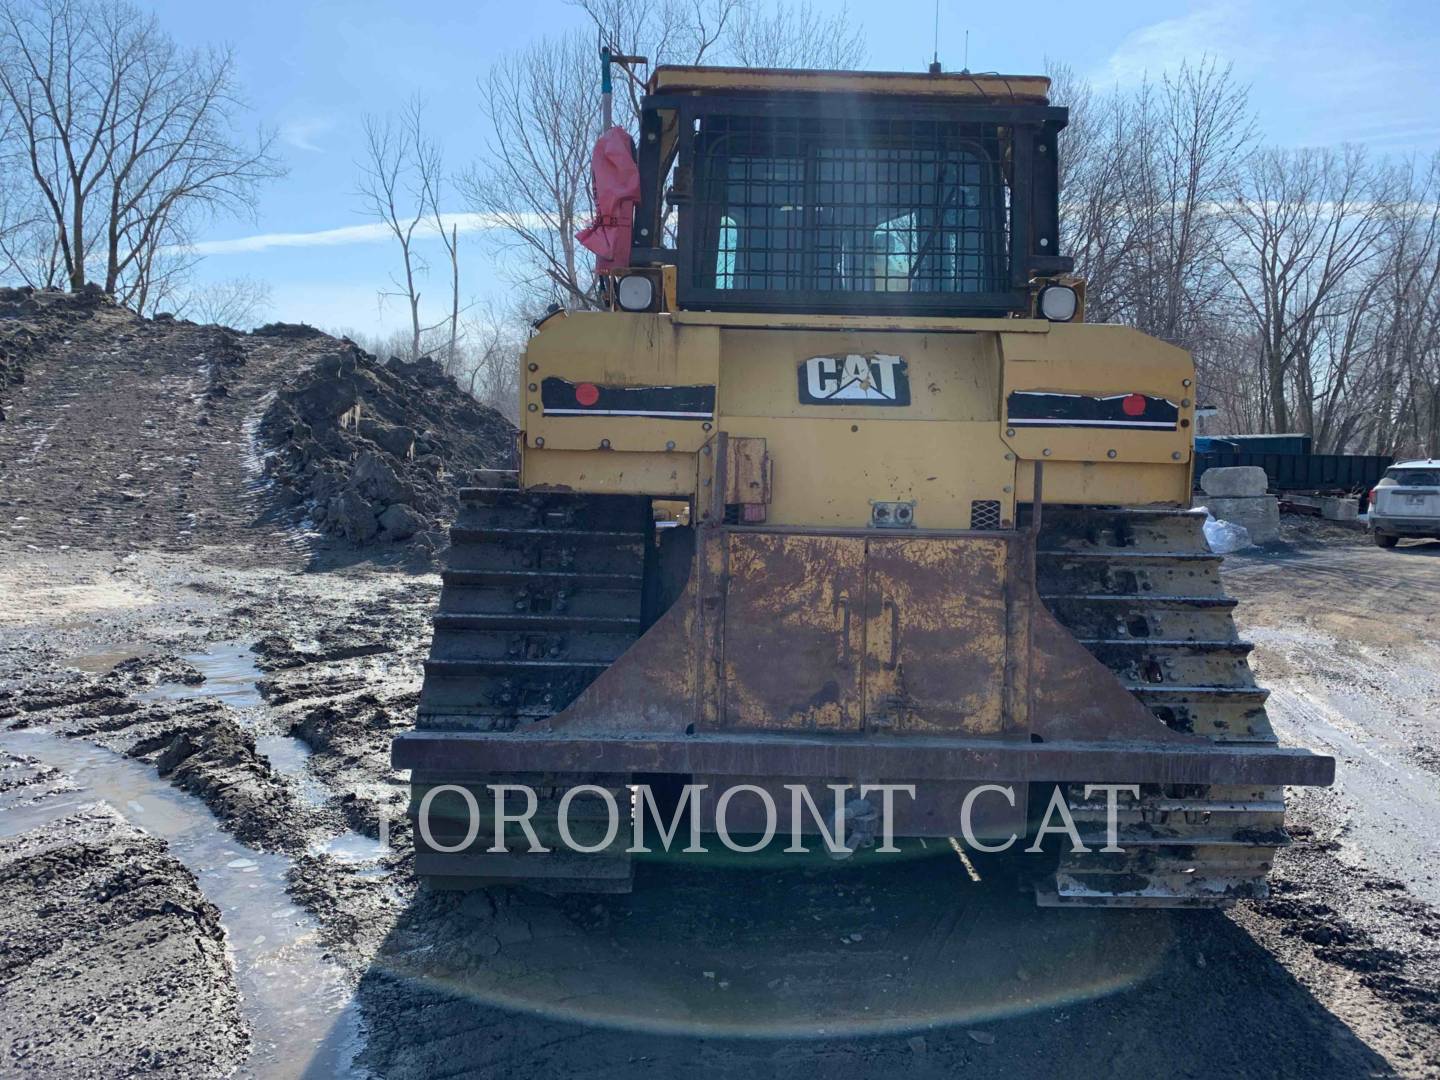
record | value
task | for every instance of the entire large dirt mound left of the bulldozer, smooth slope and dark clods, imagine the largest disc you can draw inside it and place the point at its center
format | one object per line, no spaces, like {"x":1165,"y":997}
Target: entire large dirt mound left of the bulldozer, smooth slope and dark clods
{"x":127,"y":431}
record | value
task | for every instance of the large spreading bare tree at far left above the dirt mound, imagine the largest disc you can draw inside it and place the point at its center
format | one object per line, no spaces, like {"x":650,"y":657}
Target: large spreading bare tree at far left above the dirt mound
{"x":123,"y":135}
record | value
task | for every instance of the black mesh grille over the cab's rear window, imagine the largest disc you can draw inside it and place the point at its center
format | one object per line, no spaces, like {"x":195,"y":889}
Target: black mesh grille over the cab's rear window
{"x":849,"y":207}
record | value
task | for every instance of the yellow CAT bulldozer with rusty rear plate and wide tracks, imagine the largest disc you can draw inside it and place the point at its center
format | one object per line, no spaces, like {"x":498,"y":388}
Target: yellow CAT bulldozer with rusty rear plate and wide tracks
{"x":842,"y":490}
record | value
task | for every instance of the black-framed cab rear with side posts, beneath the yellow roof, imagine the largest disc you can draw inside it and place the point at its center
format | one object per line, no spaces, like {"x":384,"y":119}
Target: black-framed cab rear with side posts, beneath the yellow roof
{"x":855,"y":204}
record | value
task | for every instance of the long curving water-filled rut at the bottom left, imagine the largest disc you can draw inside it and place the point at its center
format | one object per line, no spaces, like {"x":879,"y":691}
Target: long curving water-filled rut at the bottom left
{"x":300,"y":1007}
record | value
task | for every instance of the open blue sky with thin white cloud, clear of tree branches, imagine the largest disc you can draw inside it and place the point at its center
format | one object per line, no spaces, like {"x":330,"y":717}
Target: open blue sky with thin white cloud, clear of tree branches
{"x":1320,"y":71}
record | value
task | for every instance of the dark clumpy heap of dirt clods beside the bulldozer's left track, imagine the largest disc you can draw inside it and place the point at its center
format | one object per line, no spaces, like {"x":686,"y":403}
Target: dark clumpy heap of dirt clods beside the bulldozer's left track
{"x":377,"y":451}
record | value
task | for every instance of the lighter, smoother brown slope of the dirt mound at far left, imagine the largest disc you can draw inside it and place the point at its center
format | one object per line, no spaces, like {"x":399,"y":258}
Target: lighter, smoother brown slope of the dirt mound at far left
{"x":126,"y":433}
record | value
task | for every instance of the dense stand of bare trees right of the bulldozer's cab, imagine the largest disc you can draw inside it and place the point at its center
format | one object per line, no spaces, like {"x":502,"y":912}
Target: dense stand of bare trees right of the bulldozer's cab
{"x":1305,"y":283}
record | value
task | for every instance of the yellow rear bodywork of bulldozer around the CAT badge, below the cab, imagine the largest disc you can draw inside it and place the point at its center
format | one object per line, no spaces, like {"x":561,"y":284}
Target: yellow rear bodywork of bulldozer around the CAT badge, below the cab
{"x":942,"y":451}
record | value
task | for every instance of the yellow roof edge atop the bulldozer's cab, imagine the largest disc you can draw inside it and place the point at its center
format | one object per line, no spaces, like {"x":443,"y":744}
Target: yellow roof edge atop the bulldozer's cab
{"x":1030,"y":90}
